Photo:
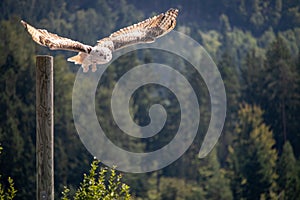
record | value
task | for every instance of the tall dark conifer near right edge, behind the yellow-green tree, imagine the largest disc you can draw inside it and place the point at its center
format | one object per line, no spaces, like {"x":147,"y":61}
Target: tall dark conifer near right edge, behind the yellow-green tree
{"x":278,"y":92}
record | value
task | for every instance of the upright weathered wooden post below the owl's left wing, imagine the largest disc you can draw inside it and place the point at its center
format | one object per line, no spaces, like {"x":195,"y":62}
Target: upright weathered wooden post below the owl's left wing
{"x":44,"y":128}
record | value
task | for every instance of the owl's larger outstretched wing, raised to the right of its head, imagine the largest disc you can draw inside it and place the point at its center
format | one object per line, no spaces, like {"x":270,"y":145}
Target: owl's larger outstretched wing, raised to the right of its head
{"x":144,"y":32}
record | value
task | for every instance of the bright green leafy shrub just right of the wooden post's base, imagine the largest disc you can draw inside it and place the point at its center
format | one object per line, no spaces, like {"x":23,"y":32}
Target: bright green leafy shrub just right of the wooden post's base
{"x":100,"y":184}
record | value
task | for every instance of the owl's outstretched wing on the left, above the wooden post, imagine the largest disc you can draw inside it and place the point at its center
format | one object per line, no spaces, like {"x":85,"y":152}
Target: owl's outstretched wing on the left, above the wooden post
{"x":53,"y":41}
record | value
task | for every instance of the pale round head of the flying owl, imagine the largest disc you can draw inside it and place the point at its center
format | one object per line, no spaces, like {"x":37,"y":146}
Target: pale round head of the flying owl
{"x":100,"y":55}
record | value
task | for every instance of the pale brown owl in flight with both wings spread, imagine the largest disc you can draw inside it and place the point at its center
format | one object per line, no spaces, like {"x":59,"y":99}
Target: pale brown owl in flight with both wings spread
{"x":143,"y":32}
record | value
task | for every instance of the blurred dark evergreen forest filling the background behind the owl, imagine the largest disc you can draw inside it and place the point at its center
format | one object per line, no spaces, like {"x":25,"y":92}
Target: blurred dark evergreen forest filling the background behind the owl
{"x":256,"y":47}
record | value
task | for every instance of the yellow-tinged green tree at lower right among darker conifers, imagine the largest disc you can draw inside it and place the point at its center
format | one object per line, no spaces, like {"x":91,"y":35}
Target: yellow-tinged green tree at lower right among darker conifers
{"x":252,"y":158}
